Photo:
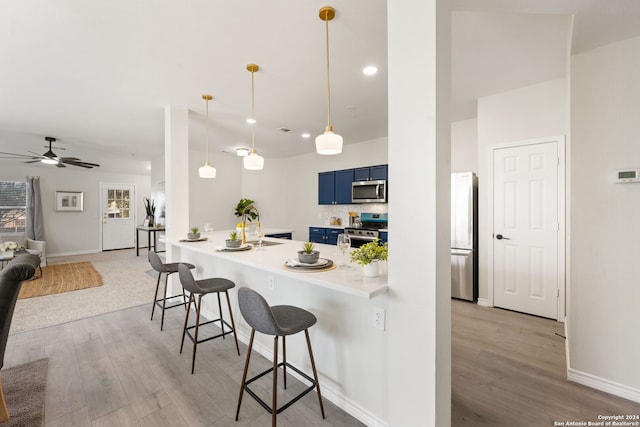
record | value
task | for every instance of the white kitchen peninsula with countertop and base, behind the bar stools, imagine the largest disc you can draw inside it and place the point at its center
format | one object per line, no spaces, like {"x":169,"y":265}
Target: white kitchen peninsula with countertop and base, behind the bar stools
{"x":348,"y":349}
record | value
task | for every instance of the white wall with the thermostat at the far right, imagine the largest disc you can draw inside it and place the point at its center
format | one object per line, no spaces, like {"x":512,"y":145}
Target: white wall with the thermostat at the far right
{"x":605,"y":272}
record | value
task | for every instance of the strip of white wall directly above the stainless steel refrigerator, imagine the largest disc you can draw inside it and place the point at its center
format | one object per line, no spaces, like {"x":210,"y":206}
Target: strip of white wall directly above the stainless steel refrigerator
{"x":464,"y":146}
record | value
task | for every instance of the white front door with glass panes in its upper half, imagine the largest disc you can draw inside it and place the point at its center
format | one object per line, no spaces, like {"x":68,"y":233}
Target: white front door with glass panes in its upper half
{"x":118,"y":216}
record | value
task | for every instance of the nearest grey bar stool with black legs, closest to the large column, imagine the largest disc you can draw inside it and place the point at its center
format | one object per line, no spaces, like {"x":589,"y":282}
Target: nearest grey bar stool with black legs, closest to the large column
{"x":279,"y":321}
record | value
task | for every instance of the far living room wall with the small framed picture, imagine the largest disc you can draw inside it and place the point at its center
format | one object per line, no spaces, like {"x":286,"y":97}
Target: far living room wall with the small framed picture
{"x":75,"y":232}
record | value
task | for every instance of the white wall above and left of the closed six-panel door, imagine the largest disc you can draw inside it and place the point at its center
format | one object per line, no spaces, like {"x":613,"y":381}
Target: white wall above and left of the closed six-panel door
{"x":530,"y":112}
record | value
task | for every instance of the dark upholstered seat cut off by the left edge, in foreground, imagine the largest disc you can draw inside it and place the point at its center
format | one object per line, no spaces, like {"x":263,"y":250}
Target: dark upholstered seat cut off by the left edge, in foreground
{"x":19,"y":269}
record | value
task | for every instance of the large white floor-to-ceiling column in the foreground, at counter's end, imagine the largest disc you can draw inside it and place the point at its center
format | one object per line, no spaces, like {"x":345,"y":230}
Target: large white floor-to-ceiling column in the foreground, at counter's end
{"x":419,"y":317}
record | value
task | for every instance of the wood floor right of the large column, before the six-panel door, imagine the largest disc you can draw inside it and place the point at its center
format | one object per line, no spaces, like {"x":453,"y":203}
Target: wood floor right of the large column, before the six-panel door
{"x":509,"y":369}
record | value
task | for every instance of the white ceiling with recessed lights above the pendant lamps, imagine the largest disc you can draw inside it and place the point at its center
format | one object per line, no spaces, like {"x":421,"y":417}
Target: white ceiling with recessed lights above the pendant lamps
{"x":98,"y":75}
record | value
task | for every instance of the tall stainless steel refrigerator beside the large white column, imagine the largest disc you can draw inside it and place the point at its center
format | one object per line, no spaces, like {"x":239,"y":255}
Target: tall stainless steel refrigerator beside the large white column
{"x":464,"y":236}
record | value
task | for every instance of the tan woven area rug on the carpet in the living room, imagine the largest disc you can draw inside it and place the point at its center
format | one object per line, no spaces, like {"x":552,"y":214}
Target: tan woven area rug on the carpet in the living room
{"x":58,"y":278}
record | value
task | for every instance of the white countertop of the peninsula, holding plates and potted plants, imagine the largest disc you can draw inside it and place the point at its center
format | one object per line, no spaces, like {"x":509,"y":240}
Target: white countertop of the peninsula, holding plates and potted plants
{"x":272,"y":259}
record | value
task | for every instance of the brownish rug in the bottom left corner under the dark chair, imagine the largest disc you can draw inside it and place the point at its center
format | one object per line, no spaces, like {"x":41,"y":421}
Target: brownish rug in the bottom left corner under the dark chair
{"x":25,"y":388}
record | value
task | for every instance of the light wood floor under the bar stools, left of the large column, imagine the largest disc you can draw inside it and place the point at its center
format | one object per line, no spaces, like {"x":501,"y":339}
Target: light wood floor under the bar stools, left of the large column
{"x":118,"y":369}
